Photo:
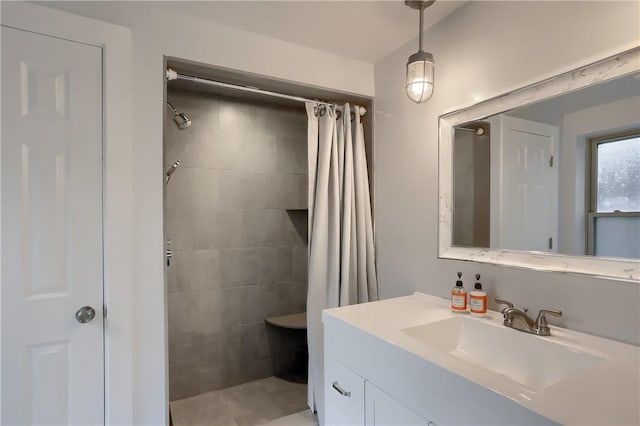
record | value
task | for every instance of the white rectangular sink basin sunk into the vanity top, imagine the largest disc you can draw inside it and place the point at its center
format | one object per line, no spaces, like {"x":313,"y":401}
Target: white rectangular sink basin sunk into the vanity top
{"x":529,"y":360}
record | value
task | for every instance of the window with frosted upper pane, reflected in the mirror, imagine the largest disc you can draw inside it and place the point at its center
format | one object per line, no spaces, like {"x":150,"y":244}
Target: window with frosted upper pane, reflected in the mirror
{"x":613,"y":219}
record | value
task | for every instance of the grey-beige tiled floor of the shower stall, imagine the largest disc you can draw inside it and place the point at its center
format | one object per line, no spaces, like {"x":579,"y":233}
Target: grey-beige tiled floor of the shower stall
{"x":255,"y":403}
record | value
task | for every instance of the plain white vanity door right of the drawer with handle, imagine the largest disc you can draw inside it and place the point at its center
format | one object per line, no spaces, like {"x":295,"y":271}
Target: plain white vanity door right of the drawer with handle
{"x":384,"y":410}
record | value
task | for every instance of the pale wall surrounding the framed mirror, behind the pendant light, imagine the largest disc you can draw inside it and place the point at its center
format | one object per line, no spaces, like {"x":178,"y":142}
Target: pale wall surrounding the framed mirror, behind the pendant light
{"x":484,"y":50}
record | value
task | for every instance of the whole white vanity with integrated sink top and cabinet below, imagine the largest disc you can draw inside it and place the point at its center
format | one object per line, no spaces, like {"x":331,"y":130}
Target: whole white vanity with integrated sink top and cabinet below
{"x":411,"y":361}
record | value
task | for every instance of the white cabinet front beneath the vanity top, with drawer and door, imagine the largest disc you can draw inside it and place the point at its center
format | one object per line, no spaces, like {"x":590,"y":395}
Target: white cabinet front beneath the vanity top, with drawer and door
{"x":350,"y":400}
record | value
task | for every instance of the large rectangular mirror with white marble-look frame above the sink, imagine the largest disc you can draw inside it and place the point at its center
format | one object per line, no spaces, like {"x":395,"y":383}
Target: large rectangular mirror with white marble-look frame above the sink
{"x":548,"y":176}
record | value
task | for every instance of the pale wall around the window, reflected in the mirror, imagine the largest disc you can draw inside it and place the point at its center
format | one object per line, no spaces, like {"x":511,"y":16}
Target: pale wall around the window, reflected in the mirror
{"x":576,"y":128}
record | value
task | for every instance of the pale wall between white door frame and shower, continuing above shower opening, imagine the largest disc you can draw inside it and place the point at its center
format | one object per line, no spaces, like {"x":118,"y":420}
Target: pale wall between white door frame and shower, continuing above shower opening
{"x":155,"y":33}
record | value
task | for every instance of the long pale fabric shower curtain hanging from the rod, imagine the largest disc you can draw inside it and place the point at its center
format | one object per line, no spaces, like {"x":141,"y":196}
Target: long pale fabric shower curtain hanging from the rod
{"x":341,"y":255}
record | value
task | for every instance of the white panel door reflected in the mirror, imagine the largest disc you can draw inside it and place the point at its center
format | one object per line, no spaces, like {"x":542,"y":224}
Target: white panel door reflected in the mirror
{"x":529,"y":185}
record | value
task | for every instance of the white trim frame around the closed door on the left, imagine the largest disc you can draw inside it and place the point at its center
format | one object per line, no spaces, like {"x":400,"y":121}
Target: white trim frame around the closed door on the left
{"x":115,"y":42}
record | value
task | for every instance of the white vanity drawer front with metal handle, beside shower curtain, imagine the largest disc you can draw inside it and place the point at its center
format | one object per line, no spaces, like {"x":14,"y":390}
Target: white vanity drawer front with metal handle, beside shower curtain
{"x":343,"y":395}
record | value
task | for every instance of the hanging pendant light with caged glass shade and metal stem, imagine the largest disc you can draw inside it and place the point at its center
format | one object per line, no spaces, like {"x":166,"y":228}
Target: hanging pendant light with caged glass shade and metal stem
{"x":420,"y":66}
